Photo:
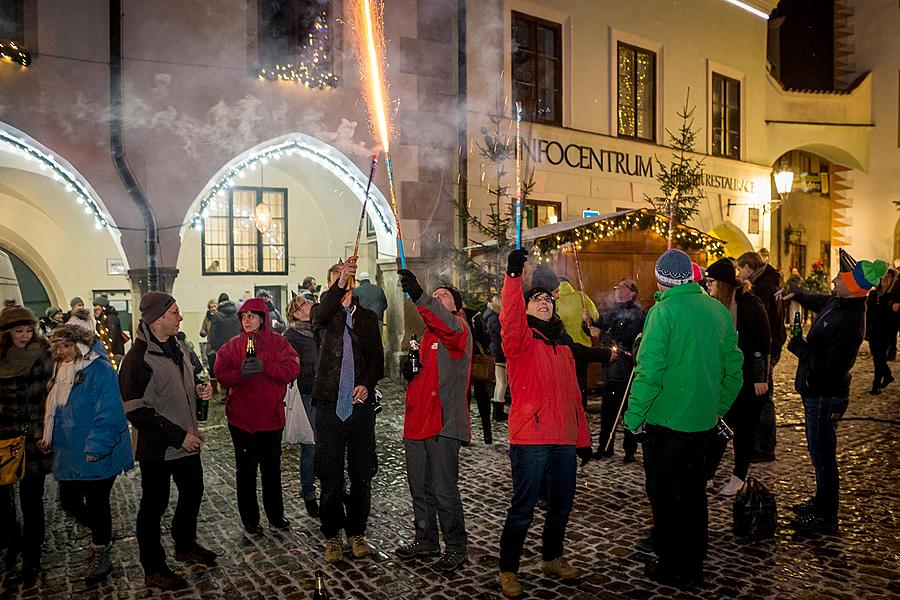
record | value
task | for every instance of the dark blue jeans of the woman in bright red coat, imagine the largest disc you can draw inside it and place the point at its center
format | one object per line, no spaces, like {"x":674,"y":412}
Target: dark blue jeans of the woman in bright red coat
{"x":531,"y":465}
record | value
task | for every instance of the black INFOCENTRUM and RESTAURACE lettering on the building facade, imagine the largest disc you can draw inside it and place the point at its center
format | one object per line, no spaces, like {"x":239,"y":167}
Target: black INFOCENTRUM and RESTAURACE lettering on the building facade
{"x":580,"y":156}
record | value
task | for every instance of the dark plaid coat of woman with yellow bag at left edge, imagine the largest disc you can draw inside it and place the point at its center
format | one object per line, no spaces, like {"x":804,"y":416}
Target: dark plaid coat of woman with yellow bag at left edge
{"x":22,"y":409}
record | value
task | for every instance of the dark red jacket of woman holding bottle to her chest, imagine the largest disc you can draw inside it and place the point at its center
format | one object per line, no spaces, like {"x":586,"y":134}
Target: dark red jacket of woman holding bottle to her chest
{"x":257,"y":403}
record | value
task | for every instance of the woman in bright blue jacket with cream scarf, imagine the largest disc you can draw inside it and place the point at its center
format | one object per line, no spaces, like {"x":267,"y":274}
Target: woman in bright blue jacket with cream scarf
{"x":85,"y":426}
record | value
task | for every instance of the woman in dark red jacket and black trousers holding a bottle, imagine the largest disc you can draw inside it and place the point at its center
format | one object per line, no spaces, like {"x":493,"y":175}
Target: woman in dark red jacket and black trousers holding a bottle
{"x":256,"y":367}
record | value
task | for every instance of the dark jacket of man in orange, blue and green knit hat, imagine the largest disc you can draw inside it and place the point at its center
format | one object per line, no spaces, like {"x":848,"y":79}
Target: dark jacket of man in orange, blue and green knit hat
{"x":830,"y":348}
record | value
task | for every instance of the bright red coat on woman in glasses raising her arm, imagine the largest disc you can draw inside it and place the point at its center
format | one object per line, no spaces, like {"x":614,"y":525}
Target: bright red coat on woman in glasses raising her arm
{"x":546,"y":402}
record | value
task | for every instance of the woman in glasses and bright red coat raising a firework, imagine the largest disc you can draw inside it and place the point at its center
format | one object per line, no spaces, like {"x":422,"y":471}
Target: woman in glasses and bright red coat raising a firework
{"x":546,"y":423}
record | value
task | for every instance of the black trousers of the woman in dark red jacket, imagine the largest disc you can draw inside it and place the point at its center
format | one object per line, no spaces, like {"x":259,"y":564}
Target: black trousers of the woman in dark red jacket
{"x":260,"y":450}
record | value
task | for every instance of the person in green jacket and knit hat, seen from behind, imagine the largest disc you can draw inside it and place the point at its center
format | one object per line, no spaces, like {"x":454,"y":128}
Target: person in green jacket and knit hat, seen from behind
{"x":687,"y":375}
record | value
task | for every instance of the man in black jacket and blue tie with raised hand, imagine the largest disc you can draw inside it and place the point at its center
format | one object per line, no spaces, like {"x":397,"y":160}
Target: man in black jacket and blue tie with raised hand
{"x":351,"y":361}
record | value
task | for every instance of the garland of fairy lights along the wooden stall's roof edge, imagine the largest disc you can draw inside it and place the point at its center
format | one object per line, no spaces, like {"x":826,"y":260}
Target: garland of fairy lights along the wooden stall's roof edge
{"x":642,"y":220}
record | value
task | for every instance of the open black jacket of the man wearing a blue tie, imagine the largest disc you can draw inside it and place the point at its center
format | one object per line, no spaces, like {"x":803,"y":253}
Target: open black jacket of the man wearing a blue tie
{"x":329,"y":320}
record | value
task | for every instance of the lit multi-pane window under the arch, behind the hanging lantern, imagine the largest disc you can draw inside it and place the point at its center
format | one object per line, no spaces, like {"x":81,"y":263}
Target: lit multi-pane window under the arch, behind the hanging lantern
{"x":232,"y":243}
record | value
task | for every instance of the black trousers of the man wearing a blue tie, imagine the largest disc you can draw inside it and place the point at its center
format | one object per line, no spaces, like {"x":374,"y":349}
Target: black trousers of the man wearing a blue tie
{"x":352,"y":440}
